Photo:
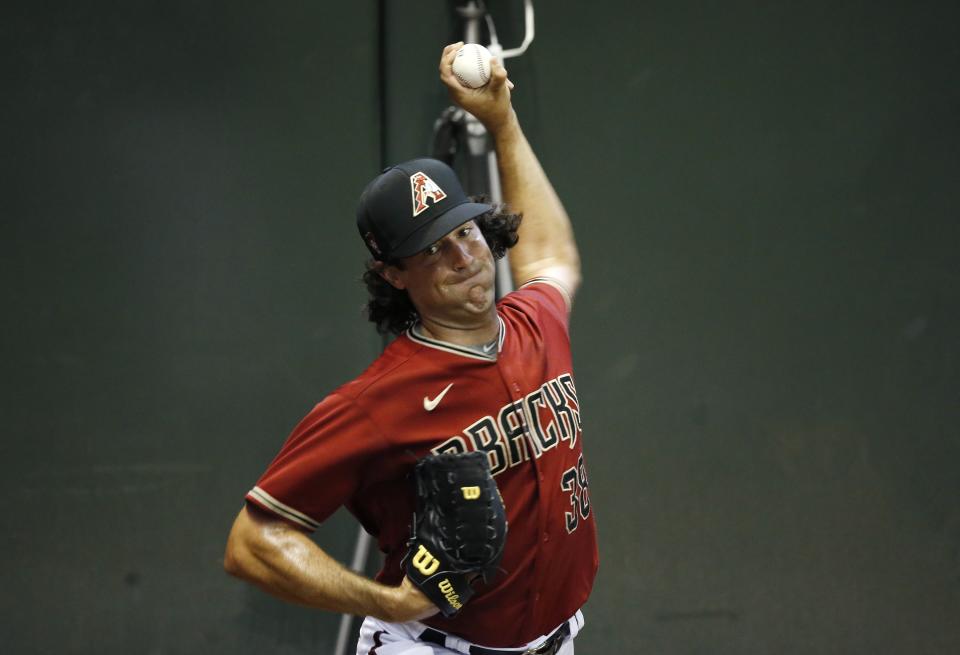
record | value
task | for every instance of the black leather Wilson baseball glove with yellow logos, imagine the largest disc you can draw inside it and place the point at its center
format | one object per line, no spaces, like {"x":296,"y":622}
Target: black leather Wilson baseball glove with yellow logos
{"x":459,"y":528}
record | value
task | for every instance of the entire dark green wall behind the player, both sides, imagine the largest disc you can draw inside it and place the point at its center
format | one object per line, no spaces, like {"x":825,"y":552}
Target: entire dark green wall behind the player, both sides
{"x":766,"y":342}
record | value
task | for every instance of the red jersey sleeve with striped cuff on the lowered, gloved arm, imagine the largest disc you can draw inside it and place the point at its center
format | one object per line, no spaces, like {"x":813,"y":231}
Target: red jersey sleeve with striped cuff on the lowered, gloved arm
{"x":321,"y":464}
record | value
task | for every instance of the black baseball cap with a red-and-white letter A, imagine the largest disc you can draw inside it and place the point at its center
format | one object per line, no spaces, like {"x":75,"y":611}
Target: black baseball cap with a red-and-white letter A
{"x":412,"y":205}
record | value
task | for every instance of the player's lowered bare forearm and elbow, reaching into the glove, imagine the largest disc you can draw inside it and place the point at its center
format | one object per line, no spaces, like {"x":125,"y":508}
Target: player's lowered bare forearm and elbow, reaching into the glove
{"x":285,"y":562}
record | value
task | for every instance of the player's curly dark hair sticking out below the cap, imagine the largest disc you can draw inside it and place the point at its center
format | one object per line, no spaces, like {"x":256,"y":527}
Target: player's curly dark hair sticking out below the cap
{"x":391,"y":310}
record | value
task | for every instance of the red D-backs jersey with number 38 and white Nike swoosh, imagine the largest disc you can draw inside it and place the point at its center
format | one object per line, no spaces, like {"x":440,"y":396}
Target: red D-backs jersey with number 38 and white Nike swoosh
{"x":518,"y":405}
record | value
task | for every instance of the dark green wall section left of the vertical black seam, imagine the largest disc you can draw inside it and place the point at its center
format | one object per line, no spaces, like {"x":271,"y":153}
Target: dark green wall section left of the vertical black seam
{"x":180,"y":286}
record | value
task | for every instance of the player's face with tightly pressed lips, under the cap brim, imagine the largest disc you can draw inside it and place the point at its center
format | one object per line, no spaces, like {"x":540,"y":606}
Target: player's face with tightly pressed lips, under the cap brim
{"x":452,"y":280}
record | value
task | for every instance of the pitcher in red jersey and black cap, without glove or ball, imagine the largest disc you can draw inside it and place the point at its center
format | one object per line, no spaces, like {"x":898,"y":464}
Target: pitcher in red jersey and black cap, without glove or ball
{"x":465,"y":373}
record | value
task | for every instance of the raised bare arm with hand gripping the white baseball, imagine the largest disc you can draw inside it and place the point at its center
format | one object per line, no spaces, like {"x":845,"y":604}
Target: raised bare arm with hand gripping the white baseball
{"x":547,"y":247}
